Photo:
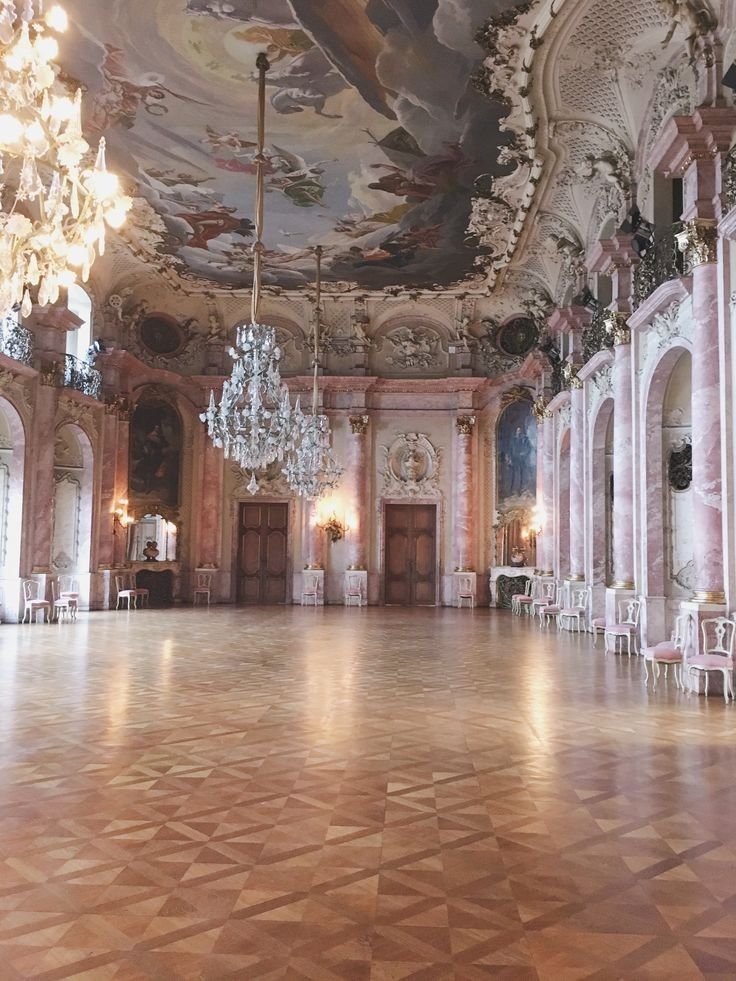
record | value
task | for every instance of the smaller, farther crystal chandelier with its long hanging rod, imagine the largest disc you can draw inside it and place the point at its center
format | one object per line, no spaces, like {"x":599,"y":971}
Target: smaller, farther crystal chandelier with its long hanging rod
{"x":311,"y":469}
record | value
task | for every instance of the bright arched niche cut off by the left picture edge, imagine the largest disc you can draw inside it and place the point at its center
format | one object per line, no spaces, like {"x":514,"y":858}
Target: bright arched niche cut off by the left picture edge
{"x":12,"y":475}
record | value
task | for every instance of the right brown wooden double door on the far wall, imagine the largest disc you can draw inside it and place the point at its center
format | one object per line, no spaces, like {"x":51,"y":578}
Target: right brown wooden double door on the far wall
{"x":410,"y":555}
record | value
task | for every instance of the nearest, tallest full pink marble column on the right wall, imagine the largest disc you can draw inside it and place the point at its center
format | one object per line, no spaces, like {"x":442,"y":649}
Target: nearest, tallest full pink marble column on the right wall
{"x":706,"y":417}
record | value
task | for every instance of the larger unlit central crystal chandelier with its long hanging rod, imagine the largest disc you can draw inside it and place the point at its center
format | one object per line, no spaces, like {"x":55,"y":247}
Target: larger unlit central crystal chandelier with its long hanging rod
{"x":254,"y":422}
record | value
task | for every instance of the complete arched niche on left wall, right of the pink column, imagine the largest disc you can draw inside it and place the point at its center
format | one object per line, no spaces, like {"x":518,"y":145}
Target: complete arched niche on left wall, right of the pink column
{"x":73,"y":501}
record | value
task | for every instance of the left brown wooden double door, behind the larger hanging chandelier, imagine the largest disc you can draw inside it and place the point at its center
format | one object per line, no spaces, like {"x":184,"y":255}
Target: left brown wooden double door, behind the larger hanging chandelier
{"x":262,"y":552}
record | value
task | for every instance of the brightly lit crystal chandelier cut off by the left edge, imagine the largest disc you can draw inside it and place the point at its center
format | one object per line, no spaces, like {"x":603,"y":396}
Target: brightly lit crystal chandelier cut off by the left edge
{"x":56,"y":198}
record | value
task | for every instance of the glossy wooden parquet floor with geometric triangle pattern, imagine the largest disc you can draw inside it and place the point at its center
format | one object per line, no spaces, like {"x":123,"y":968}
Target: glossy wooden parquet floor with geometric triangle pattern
{"x":356,"y":794}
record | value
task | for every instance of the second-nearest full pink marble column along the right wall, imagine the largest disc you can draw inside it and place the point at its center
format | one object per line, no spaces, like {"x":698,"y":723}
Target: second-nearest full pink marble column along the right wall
{"x":623,"y":463}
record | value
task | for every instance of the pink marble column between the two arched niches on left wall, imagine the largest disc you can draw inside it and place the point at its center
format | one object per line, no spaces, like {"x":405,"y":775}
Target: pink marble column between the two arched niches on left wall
{"x":42,"y":469}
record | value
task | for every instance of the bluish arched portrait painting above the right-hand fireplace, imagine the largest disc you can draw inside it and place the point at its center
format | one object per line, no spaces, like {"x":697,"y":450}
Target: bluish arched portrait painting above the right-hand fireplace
{"x":517,"y":454}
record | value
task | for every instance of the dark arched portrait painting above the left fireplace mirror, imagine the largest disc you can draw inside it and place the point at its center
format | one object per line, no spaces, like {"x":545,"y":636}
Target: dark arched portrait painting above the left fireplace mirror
{"x":155,"y":451}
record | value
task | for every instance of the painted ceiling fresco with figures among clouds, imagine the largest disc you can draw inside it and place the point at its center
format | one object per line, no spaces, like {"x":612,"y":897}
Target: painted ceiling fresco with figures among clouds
{"x":375,"y":134}
